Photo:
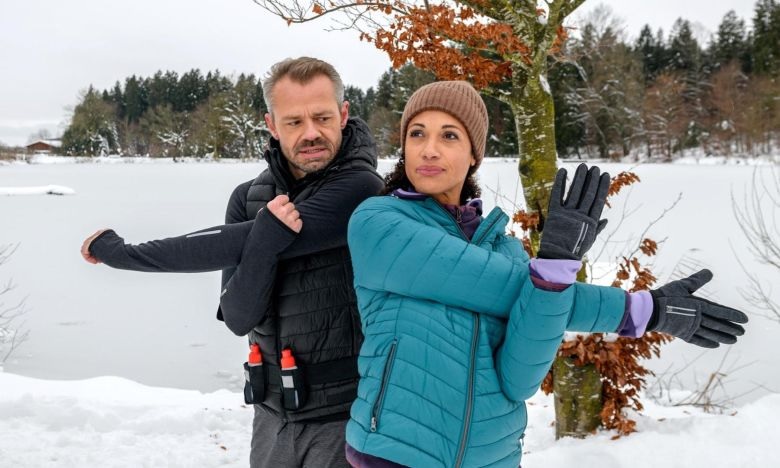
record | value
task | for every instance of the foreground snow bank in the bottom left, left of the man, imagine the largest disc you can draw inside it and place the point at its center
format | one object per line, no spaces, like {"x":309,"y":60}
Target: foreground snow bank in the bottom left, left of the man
{"x":110,"y":421}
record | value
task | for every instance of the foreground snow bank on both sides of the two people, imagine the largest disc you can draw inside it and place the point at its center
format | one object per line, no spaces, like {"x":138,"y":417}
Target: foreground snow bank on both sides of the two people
{"x":114,"y":422}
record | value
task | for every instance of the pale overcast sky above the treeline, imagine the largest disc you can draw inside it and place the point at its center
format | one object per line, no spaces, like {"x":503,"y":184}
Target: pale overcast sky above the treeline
{"x":51,"y":49}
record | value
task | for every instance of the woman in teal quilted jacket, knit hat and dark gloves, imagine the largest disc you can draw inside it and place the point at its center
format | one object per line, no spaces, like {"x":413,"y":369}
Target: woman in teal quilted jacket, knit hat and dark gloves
{"x":460,"y":327}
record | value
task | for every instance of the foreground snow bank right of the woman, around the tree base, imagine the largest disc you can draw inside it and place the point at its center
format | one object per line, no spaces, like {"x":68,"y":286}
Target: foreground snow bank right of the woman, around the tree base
{"x":673,"y":436}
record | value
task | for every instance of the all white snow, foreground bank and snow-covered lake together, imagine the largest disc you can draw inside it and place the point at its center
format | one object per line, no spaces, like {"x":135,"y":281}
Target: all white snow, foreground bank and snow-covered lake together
{"x":129,"y":334}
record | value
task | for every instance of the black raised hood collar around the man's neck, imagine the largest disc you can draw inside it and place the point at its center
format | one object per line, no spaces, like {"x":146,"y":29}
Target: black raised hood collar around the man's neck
{"x":358,"y":148}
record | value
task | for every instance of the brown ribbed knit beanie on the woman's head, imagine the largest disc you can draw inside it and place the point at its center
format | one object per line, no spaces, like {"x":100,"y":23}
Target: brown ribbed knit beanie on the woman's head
{"x":457,"y":98}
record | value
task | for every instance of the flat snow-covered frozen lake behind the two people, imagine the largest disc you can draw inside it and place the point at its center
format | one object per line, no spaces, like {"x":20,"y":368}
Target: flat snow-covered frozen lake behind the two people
{"x":160,"y":329}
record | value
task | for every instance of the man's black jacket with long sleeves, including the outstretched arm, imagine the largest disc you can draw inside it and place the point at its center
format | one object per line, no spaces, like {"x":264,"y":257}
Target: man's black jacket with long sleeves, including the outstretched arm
{"x":285,"y":290}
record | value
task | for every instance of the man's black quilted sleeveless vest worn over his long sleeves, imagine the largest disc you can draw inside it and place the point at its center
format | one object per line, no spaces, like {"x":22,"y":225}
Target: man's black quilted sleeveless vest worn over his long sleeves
{"x":314,"y":313}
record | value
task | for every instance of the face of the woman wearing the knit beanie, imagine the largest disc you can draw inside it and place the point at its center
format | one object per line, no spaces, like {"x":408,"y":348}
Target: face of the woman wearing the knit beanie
{"x":438,"y":155}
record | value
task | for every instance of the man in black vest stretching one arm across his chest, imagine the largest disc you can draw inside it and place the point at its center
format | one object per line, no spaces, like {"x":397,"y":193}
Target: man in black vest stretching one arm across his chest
{"x":287,"y":273}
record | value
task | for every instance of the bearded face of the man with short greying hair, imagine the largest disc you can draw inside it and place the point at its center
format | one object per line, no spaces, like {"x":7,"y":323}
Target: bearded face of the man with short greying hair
{"x":307,"y":121}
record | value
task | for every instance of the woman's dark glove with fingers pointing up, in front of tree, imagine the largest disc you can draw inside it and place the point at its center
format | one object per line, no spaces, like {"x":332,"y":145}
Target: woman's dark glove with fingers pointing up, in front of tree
{"x":572,"y":225}
